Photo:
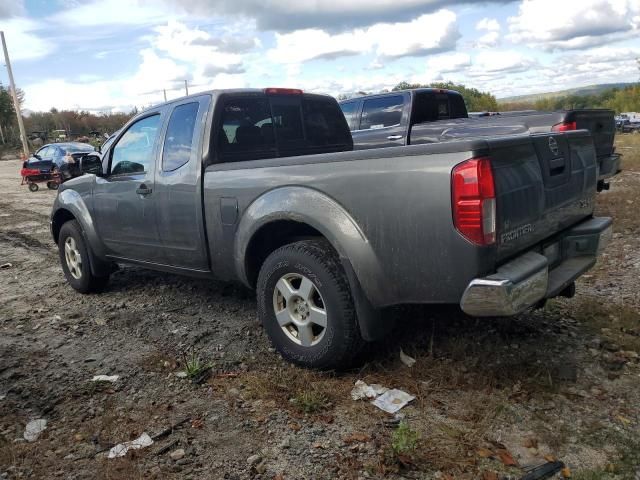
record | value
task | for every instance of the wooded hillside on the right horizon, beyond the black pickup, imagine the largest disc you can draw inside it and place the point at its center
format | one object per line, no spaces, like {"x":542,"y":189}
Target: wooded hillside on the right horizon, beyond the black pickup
{"x":621,"y":100}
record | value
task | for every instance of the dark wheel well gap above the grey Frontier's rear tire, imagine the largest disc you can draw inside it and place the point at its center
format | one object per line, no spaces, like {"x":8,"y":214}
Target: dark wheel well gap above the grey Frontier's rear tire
{"x":271,"y":237}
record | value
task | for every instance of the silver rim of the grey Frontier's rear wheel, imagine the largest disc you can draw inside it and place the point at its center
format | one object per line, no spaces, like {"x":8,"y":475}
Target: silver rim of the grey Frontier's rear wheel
{"x":300,"y":310}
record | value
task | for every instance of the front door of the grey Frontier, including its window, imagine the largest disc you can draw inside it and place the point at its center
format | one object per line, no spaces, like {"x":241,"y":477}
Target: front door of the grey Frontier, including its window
{"x":125,"y":199}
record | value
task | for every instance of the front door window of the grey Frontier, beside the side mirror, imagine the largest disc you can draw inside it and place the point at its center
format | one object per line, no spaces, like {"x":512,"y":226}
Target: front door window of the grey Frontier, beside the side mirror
{"x":134,"y":151}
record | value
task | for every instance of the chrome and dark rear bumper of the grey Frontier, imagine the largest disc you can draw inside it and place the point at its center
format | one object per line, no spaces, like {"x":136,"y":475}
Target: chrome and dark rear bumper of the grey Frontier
{"x":534,"y":276}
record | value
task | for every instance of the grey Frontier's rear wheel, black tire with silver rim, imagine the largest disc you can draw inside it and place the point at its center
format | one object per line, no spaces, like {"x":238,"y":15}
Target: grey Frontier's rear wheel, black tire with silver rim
{"x":306,"y":307}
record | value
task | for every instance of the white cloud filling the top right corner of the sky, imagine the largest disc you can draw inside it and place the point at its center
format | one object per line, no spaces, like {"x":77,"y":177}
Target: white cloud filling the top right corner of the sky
{"x":553,"y":24}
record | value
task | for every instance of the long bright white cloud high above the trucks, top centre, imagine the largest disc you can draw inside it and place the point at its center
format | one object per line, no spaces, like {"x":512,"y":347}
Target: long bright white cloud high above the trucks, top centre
{"x":426,"y":34}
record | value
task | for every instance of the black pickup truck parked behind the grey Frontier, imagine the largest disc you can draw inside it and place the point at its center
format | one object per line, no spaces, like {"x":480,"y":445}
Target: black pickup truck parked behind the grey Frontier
{"x":429,"y":115}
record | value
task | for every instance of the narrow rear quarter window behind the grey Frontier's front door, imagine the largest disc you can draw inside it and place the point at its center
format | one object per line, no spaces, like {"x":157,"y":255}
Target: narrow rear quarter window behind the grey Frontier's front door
{"x":178,"y":141}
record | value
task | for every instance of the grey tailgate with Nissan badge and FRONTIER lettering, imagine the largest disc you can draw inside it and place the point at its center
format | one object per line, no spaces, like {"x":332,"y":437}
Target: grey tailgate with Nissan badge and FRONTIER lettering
{"x":544,"y":184}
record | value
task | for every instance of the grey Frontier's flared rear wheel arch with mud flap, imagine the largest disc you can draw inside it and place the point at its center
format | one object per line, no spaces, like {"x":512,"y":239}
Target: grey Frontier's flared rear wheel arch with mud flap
{"x":324,"y":214}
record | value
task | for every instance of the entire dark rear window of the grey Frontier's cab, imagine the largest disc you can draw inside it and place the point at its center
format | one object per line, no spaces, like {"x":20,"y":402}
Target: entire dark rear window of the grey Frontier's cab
{"x":252,"y":127}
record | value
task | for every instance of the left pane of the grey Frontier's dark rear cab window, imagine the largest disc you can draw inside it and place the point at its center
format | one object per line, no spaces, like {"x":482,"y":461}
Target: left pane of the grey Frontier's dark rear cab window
{"x":246,"y":131}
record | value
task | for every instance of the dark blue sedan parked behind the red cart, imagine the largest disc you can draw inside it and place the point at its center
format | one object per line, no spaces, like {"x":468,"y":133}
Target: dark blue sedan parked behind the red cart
{"x":63,"y":157}
